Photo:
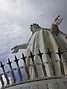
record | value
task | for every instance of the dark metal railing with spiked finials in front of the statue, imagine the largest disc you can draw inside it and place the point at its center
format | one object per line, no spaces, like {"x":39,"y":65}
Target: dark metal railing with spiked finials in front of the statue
{"x":26,"y":67}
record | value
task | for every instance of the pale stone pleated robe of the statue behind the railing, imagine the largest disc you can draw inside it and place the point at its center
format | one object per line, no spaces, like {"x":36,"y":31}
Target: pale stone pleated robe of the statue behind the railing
{"x":42,"y":40}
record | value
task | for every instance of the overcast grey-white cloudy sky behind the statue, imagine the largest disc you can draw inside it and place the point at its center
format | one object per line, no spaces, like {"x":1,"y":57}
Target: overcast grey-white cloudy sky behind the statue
{"x":17,"y":15}
